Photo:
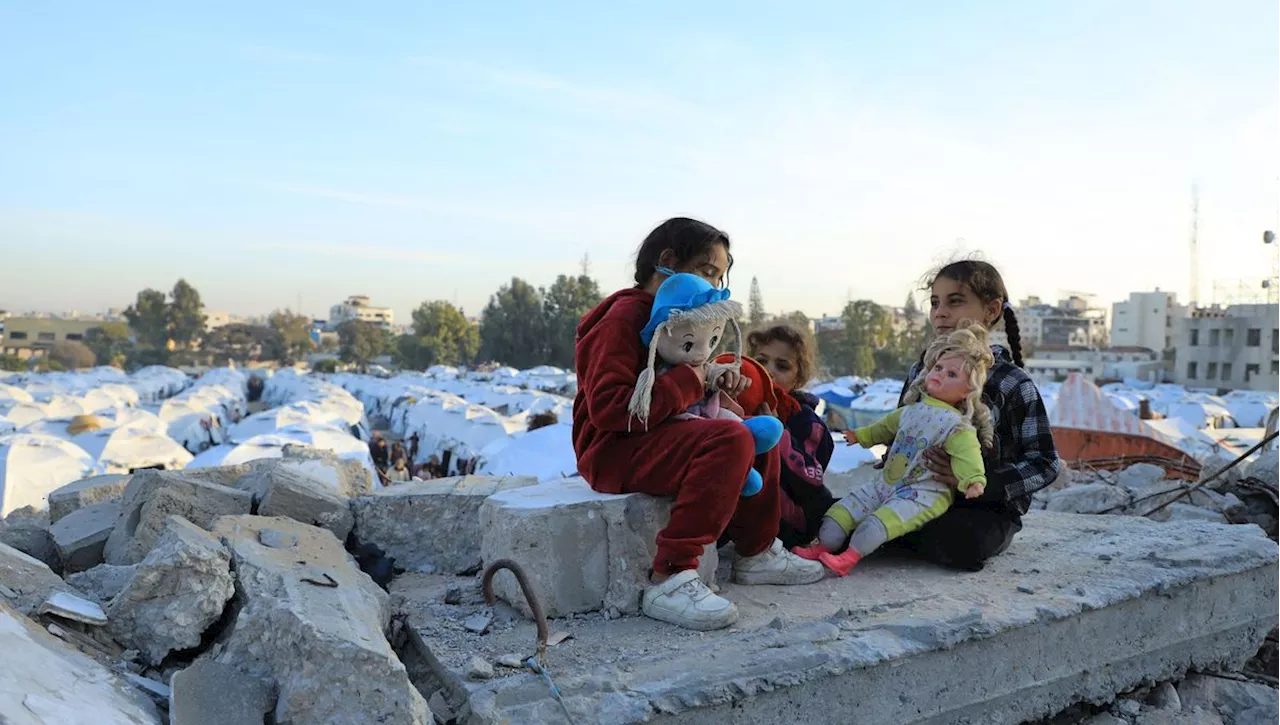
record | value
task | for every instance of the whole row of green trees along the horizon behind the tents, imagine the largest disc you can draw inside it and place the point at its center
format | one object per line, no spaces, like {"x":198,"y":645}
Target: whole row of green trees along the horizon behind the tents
{"x":522,"y":326}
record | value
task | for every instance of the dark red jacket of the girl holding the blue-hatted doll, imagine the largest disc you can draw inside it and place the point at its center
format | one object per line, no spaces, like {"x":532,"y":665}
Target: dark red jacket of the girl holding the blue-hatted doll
{"x":610,"y":357}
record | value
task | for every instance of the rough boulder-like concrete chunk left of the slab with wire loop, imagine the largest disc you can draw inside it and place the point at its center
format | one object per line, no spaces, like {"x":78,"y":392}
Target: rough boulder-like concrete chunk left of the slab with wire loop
{"x":175,"y":595}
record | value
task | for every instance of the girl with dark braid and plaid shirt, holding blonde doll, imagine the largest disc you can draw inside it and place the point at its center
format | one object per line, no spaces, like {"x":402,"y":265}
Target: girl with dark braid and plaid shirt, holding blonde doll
{"x":1022,"y":459}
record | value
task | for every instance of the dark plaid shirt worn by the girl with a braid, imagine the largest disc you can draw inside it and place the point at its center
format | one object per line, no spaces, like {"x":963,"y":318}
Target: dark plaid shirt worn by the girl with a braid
{"x":1023,"y":459}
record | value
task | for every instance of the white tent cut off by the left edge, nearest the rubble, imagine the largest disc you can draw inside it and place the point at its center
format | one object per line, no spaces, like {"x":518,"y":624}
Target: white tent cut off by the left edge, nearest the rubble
{"x":31,"y":467}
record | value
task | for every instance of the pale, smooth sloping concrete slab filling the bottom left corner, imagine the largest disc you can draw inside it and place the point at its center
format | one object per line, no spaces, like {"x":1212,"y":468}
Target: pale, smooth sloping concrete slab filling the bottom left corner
{"x":45,"y":682}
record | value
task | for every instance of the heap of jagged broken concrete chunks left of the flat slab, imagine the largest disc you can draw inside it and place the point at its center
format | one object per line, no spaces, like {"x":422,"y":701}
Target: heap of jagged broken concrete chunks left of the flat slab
{"x":214,"y":596}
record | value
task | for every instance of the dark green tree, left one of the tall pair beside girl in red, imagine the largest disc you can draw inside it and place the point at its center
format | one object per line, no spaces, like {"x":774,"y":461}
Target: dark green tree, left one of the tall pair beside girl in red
{"x":513,"y":329}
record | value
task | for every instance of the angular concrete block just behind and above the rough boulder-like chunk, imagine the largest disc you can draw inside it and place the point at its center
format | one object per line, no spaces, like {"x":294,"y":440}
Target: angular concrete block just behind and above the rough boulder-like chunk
{"x":153,"y":496}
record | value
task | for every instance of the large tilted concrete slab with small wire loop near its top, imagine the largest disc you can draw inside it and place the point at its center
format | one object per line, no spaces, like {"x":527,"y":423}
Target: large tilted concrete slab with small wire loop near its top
{"x":312,"y":623}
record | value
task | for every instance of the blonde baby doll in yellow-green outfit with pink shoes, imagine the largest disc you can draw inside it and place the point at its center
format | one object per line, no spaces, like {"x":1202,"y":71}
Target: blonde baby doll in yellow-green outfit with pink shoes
{"x":943,"y":408}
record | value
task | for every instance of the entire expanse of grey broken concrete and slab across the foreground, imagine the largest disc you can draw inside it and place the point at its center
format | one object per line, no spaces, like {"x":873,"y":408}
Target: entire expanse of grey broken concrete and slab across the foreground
{"x":292,"y":591}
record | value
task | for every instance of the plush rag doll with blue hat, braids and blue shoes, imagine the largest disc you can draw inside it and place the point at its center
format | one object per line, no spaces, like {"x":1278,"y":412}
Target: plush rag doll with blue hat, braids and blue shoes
{"x":688,"y":323}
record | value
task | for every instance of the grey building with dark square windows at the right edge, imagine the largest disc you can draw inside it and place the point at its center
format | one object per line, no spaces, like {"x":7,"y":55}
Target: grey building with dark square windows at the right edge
{"x":1229,"y":348}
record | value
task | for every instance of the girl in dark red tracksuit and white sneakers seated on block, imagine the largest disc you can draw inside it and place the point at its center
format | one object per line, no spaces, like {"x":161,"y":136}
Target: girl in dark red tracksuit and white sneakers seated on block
{"x":700,"y":463}
